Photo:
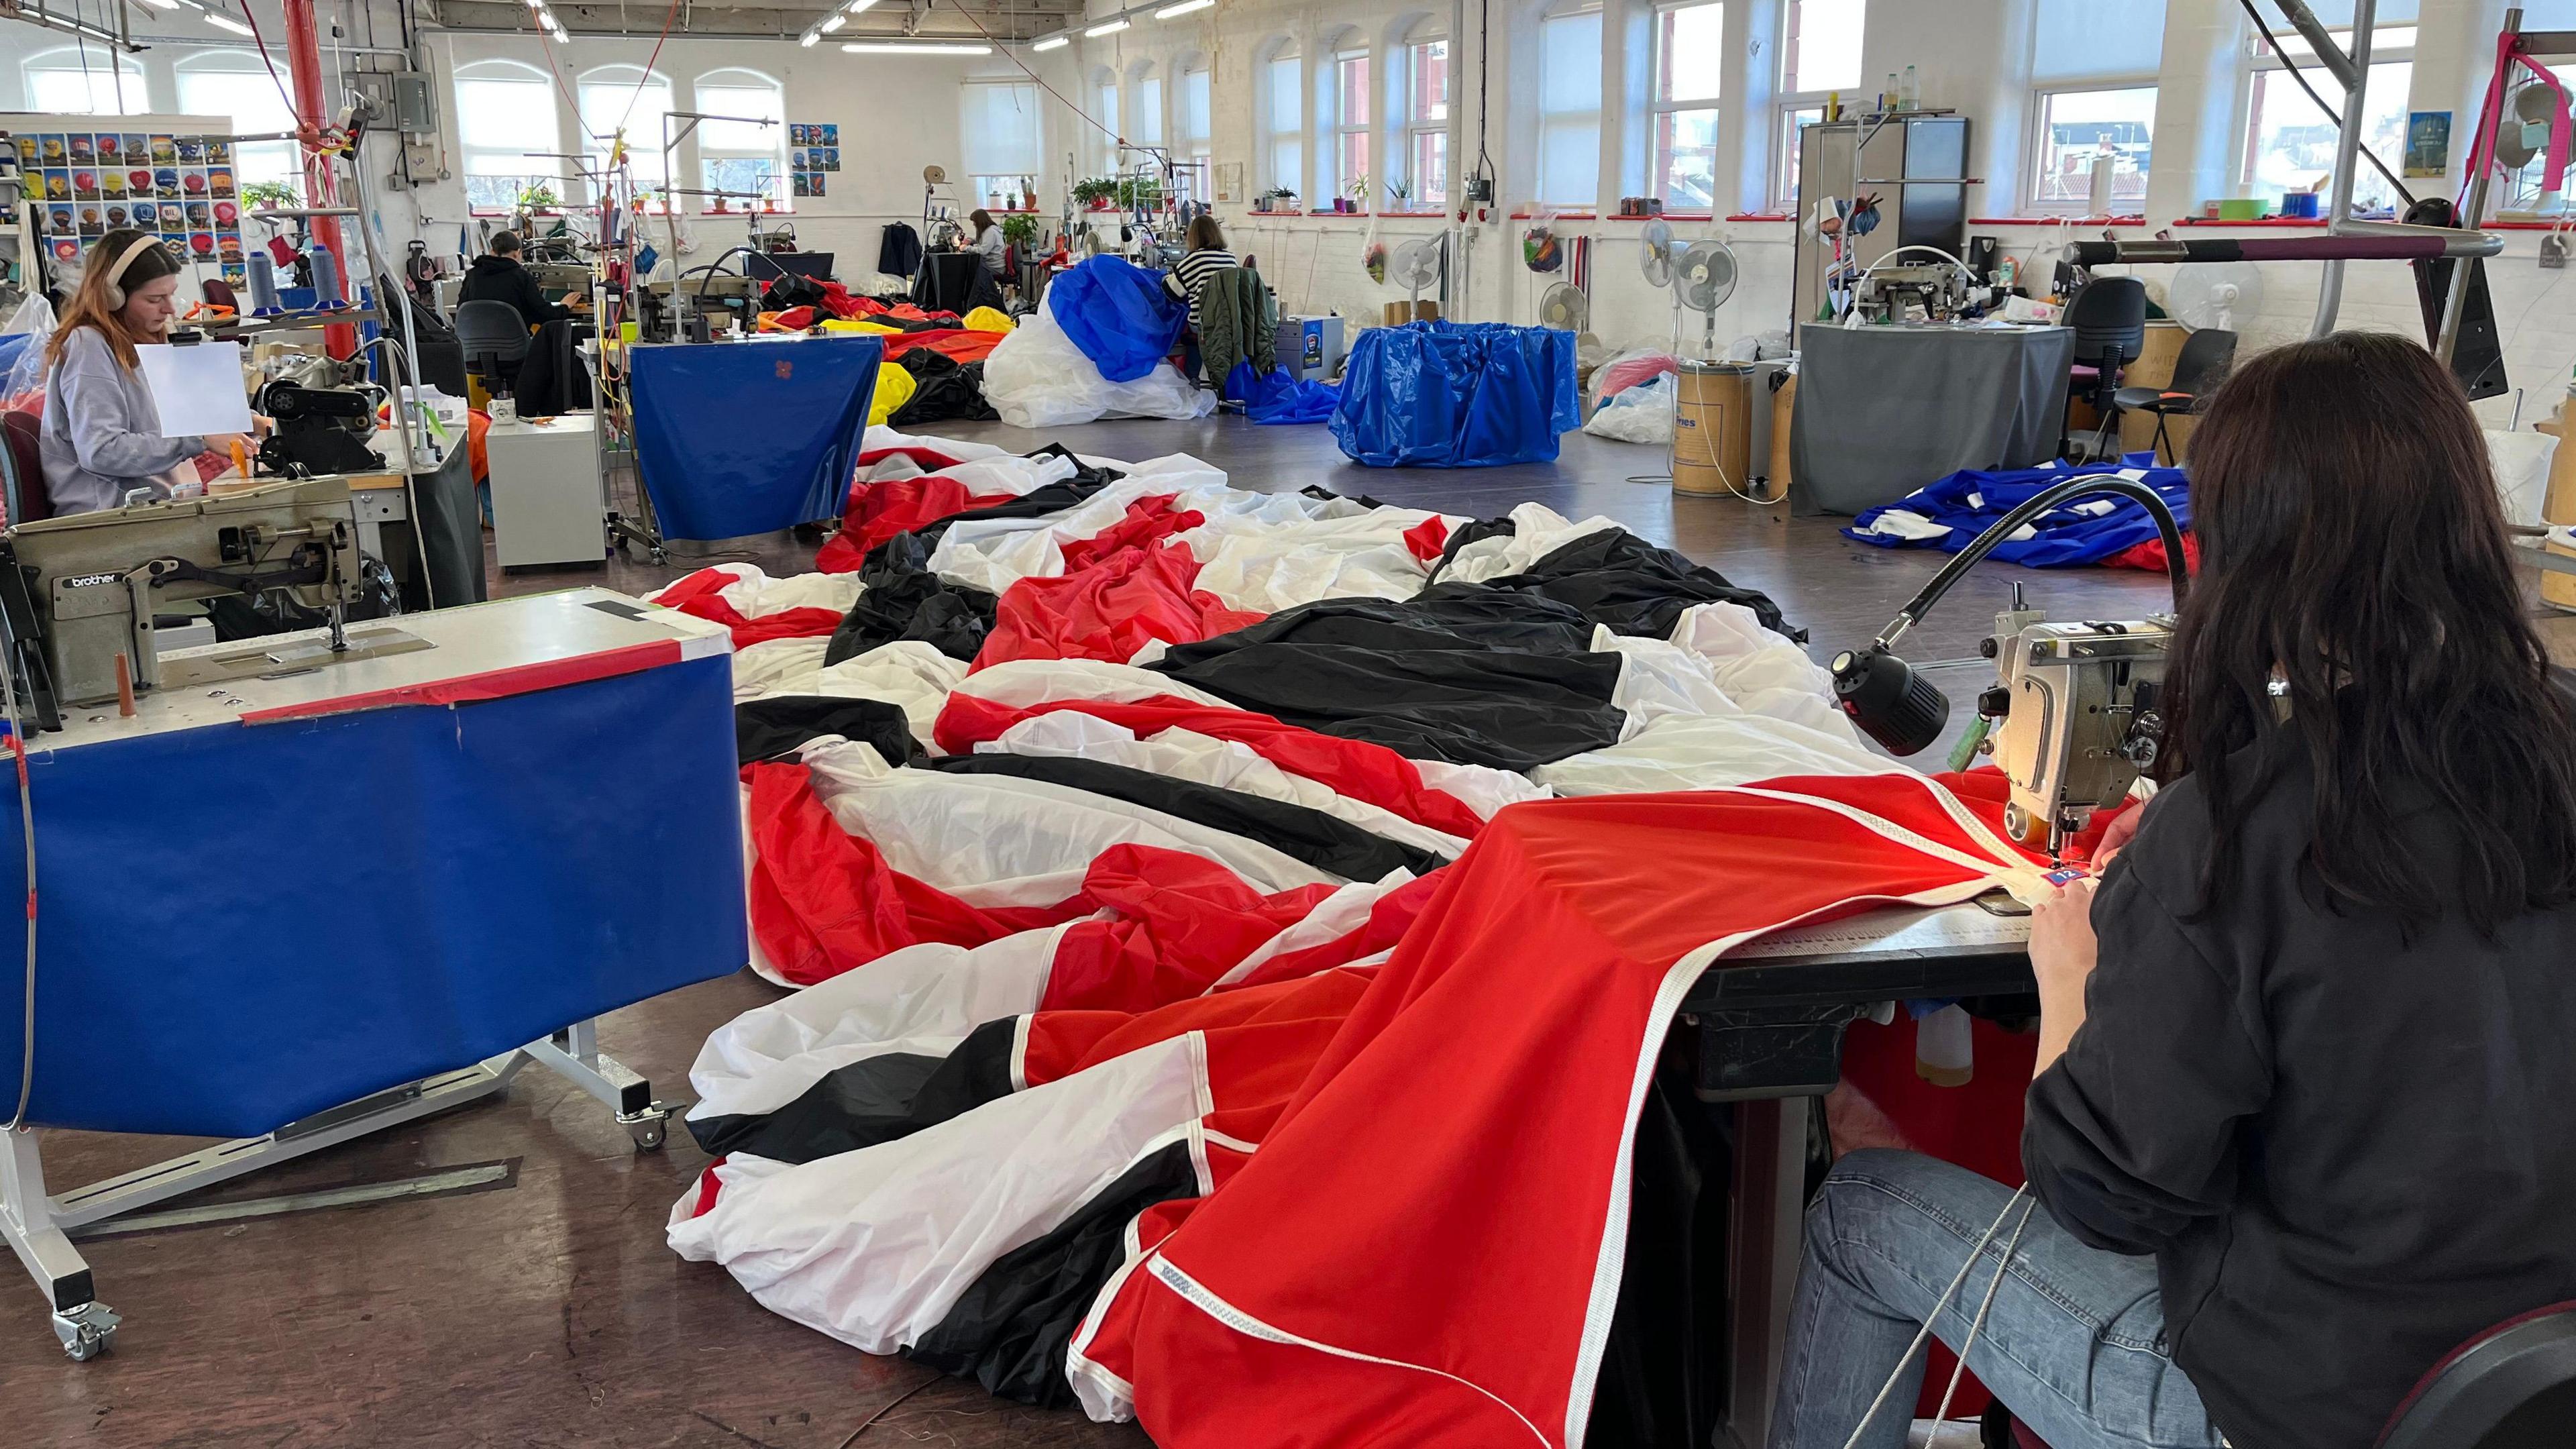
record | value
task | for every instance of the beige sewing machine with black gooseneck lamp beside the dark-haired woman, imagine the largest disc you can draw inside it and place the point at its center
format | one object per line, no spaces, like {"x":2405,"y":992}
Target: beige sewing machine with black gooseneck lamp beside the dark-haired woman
{"x":2075,"y":715}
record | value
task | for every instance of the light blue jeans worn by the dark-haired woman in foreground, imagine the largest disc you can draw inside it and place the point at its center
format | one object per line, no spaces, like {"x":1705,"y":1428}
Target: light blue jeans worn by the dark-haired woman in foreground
{"x":2075,"y":1339}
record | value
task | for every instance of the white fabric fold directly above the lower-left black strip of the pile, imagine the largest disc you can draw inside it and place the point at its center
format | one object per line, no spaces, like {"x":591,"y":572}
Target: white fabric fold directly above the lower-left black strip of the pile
{"x":769,"y":1056}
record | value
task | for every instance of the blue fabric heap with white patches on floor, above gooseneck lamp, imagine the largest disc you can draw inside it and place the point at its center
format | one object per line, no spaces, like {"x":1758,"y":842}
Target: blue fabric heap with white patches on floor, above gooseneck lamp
{"x":2083,"y":532}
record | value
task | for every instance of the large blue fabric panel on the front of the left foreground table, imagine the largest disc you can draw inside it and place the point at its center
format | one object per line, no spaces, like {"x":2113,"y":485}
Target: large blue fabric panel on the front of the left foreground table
{"x":249,"y":924}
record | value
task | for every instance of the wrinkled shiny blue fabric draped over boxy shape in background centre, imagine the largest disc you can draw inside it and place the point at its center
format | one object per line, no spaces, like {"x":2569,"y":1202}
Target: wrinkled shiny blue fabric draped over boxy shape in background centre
{"x":1457,"y":396}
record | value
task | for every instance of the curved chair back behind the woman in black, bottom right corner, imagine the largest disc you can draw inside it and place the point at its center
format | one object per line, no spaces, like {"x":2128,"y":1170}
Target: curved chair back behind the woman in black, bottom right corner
{"x":2508,"y":1388}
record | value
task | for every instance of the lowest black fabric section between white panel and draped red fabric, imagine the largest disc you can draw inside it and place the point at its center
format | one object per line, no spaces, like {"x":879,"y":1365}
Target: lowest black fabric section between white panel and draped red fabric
{"x":1011,"y":1329}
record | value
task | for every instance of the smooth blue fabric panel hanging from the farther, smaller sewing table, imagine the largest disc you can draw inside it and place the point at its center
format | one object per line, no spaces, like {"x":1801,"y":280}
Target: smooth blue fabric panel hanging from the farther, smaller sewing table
{"x":751,"y":437}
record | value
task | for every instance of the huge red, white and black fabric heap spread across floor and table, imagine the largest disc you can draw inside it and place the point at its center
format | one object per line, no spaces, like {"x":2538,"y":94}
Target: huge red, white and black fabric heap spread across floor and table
{"x":1181,"y":893}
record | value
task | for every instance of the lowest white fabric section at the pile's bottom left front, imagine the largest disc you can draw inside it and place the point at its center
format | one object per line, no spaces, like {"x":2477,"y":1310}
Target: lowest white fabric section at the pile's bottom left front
{"x":880,"y":1244}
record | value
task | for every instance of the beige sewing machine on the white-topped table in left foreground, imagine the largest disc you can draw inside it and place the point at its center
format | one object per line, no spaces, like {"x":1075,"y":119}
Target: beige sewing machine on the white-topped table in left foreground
{"x":79,"y":597}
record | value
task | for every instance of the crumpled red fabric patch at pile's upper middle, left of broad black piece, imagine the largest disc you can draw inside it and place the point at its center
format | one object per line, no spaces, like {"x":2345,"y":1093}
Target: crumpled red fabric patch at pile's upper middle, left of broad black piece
{"x":1109,"y":610}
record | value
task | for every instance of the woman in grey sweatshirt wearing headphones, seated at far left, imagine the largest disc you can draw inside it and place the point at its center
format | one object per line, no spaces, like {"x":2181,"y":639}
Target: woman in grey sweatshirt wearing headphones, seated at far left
{"x":102,"y":432}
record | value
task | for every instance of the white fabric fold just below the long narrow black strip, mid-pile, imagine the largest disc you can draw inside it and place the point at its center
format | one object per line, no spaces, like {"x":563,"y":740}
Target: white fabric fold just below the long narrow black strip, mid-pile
{"x":1014,"y":842}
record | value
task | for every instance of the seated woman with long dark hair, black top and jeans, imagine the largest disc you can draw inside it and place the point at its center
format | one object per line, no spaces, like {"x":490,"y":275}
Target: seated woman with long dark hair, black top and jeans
{"x":2304,"y":1079}
